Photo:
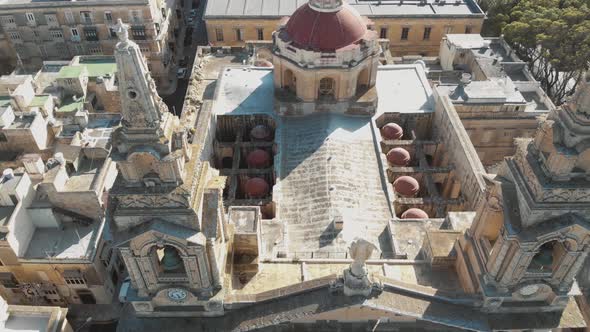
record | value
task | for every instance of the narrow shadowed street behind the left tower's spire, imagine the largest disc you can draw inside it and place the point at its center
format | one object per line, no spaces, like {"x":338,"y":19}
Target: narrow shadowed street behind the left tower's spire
{"x":198,"y":38}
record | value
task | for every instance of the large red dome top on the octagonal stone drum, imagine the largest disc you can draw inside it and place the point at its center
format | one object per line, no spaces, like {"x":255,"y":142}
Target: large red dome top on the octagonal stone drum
{"x":325,"y":31}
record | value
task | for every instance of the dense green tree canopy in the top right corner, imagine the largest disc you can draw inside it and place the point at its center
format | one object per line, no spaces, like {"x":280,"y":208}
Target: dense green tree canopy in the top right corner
{"x":553,"y":36}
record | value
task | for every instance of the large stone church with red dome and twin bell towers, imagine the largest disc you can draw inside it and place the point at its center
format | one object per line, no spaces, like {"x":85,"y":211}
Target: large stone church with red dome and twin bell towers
{"x":324,"y":192}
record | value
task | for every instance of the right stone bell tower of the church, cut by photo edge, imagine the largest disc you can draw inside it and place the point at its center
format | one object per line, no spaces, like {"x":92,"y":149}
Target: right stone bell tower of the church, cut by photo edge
{"x":532,"y":234}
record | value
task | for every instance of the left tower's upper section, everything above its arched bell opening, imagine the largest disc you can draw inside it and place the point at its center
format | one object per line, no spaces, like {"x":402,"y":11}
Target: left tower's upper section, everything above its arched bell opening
{"x":150,"y":148}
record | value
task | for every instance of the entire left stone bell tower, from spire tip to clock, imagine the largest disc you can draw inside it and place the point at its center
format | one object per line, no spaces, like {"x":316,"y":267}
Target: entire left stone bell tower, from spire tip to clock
{"x":173,"y":247}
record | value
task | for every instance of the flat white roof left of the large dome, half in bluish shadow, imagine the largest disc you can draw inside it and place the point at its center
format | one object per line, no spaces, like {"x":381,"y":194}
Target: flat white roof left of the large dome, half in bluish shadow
{"x":244,"y":90}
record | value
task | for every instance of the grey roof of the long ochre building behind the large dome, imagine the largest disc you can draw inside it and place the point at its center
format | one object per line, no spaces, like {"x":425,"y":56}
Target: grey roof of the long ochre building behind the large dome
{"x":384,"y":8}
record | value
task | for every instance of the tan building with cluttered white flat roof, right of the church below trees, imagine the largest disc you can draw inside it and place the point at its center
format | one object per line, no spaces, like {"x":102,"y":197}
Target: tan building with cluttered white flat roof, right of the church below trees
{"x":495,"y":95}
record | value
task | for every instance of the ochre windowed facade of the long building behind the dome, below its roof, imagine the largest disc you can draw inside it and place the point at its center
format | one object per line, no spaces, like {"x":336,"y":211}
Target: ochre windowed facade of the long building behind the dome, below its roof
{"x":233,"y":29}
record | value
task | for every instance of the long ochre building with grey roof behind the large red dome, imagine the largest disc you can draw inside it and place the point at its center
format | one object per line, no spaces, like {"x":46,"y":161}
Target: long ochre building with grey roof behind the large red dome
{"x":412,"y":26}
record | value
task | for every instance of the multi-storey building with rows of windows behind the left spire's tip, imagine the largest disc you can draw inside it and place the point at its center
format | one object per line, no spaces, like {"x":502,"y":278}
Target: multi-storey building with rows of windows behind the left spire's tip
{"x":60,"y":30}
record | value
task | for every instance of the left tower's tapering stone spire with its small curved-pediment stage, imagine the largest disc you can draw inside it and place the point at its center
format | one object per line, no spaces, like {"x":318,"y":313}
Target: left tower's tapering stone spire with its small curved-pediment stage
{"x":151,"y":145}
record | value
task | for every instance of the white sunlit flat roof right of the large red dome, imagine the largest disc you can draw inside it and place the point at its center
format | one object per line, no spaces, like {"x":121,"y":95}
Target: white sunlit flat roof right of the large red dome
{"x":403,"y":88}
